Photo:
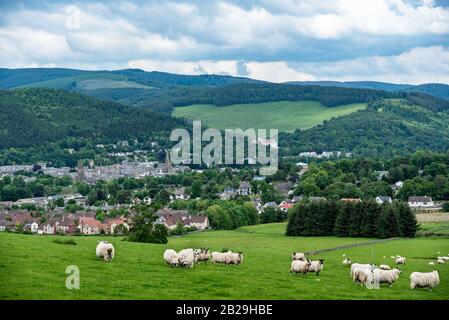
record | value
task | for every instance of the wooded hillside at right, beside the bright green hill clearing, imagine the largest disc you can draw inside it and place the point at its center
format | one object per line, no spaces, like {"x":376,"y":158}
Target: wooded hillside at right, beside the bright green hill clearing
{"x":385,"y":128}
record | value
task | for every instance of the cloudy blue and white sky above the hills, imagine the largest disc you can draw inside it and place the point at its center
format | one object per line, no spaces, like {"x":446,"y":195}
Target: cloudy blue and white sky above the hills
{"x":400,"y":41}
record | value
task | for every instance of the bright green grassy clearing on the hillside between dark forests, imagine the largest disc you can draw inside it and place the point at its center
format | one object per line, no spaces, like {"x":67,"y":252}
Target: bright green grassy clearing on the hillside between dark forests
{"x":283,"y":115}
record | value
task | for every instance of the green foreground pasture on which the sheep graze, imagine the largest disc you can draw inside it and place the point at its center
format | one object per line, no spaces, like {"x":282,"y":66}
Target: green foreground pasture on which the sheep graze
{"x":33,"y":267}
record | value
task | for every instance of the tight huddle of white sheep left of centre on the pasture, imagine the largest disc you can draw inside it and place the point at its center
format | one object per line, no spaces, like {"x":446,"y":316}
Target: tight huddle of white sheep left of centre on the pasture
{"x":188,"y":257}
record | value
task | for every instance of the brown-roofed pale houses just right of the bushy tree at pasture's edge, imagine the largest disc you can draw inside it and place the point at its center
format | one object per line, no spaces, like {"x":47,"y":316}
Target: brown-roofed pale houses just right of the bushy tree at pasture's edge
{"x":171,"y":218}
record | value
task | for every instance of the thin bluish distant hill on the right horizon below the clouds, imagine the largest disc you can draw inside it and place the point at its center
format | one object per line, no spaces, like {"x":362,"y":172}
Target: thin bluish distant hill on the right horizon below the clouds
{"x":439,"y":90}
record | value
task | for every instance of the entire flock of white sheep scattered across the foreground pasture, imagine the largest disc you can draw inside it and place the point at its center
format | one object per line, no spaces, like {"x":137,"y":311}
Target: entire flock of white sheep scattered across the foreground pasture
{"x":365,"y":274}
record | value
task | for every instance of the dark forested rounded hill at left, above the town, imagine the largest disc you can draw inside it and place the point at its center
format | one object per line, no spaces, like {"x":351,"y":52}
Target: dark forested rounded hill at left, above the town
{"x":32,"y":117}
